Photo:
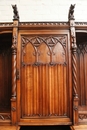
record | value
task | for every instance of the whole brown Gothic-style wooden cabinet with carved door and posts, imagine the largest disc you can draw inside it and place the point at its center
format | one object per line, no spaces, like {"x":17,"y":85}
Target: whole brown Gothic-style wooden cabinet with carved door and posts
{"x":43,"y":70}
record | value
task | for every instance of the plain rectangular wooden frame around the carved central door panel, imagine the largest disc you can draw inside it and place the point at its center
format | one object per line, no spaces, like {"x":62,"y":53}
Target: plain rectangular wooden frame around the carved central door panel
{"x":69,"y":72}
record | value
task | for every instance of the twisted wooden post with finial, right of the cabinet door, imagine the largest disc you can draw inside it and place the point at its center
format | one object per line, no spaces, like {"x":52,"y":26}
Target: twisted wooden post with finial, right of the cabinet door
{"x":74,"y":65}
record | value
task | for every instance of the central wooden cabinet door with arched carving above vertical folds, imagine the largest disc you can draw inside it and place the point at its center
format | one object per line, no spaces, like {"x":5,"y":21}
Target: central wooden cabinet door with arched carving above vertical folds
{"x":45,"y":87}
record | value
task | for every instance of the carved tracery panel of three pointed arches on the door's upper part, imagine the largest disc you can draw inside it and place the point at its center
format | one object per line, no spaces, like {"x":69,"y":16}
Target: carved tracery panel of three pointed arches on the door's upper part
{"x":44,"y":50}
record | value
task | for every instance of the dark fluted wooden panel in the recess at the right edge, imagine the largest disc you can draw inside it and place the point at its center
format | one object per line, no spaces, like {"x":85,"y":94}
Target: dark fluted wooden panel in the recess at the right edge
{"x":82,"y":73}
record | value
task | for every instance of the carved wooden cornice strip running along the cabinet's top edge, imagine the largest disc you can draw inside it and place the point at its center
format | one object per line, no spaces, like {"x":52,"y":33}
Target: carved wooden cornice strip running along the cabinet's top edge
{"x":43,"y":24}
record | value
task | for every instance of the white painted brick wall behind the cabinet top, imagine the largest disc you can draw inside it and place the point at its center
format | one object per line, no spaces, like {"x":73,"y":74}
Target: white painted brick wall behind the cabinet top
{"x":43,"y":10}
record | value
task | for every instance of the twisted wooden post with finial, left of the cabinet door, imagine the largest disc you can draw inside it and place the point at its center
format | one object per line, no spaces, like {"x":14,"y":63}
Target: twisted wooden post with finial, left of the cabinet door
{"x":14,"y":67}
